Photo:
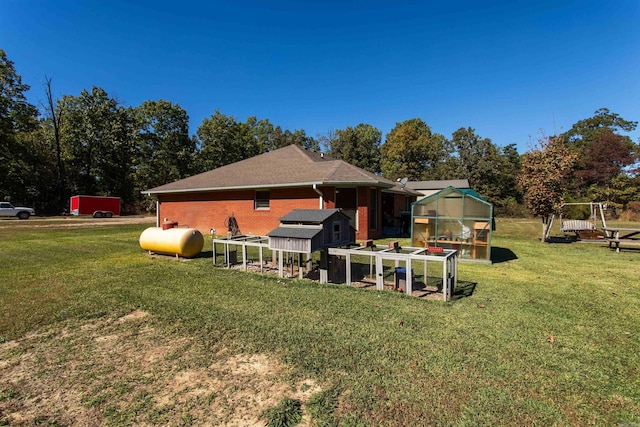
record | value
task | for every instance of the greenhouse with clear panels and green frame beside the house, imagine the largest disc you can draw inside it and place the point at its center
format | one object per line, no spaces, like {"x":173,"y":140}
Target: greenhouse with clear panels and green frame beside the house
{"x":454,"y":218}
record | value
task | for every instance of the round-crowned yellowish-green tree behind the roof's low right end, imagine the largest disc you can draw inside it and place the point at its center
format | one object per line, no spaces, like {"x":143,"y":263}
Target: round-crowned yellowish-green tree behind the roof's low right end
{"x":413,"y":151}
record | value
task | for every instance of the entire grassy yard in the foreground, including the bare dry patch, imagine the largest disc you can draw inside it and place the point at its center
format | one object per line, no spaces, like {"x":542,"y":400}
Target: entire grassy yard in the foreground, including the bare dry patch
{"x":95,"y":332}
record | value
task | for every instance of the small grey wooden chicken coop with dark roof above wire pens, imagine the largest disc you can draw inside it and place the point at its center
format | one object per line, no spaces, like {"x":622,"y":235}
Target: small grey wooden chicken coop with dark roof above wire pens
{"x":309,"y":230}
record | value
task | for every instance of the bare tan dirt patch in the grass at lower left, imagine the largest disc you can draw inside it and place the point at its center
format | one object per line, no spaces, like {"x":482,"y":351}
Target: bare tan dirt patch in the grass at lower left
{"x":132,"y":370}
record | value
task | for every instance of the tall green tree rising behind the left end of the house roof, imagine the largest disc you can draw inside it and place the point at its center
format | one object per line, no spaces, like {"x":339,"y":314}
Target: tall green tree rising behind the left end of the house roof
{"x":164,"y":151}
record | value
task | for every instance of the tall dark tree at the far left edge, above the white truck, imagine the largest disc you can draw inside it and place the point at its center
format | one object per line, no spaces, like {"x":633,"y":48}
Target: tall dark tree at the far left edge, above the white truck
{"x":17,"y":117}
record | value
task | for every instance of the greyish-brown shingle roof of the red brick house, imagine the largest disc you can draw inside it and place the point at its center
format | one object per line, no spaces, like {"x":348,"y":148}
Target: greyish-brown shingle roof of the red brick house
{"x":286,"y":167}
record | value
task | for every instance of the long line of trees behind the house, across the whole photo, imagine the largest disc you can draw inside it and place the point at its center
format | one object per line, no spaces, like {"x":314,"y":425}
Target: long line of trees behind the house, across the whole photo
{"x":92,"y":144}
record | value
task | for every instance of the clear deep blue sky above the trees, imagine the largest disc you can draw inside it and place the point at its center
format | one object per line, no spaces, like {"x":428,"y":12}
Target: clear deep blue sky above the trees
{"x":509,"y":69}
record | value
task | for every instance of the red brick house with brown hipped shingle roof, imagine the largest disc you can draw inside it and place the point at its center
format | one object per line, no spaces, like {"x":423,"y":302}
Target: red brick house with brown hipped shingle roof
{"x":260,"y":190}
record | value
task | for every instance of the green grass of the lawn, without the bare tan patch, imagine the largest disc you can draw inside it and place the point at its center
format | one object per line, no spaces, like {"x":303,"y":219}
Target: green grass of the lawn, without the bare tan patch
{"x":549,"y":337}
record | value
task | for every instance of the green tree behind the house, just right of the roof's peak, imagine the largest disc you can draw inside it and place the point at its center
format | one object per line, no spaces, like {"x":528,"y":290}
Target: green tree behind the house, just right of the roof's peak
{"x":359,"y":146}
